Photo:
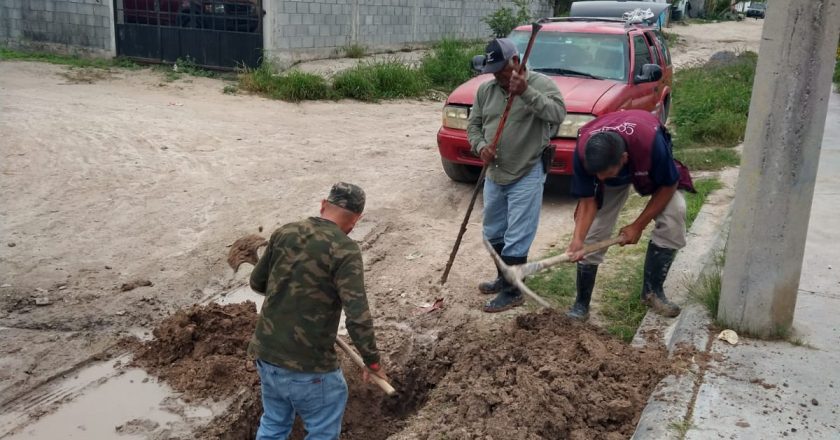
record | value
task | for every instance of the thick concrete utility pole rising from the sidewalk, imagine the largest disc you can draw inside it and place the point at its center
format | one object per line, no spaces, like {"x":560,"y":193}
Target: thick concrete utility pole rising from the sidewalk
{"x":779,"y":169}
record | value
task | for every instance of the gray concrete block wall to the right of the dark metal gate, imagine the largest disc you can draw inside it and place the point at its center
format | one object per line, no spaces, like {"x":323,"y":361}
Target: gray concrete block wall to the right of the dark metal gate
{"x":307,"y":29}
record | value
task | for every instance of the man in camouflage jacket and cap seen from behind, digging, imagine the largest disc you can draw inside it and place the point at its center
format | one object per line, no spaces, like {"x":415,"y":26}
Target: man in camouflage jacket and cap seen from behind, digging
{"x":310,"y":271}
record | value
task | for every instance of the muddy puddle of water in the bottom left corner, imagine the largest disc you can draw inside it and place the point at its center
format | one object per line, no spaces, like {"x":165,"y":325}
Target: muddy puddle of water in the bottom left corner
{"x":95,"y":401}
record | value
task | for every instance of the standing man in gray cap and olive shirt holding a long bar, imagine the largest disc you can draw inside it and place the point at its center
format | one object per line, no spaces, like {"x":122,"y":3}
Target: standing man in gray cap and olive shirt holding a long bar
{"x":517,"y":169}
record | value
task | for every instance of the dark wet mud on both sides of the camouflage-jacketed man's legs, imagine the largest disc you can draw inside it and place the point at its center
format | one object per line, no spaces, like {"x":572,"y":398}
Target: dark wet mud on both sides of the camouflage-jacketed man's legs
{"x":202,"y":352}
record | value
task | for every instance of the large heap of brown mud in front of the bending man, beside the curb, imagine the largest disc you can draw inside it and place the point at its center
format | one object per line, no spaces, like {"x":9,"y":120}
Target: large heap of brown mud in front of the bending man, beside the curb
{"x":544,"y":377}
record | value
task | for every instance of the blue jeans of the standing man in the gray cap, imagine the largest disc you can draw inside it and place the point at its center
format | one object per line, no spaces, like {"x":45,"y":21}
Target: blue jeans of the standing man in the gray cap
{"x":512,"y":212}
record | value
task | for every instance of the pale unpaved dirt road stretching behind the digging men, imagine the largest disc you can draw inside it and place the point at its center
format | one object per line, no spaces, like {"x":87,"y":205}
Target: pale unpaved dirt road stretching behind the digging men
{"x":132,"y":179}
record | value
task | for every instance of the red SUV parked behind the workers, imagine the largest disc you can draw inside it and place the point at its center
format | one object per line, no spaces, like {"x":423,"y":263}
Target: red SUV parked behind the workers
{"x":600,"y":66}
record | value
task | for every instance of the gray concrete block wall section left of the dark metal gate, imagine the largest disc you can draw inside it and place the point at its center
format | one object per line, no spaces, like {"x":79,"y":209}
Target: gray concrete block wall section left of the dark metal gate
{"x":59,"y":25}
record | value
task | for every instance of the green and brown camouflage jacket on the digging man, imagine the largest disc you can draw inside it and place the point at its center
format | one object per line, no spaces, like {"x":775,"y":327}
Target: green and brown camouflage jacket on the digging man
{"x":309,"y":272}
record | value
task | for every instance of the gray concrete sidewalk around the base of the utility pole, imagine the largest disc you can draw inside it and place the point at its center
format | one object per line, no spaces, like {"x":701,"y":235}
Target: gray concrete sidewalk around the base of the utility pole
{"x":762,"y":390}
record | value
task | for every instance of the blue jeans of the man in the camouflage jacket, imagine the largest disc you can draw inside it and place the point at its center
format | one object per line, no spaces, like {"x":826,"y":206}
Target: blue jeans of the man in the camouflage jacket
{"x":319,"y":399}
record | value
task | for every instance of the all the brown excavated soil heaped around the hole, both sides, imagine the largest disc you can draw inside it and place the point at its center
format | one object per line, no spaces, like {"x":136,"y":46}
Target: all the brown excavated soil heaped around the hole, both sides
{"x":540,"y":376}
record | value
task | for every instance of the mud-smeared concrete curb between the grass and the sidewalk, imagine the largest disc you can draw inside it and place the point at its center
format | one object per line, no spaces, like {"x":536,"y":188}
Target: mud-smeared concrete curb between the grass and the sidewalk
{"x":673,"y":396}
